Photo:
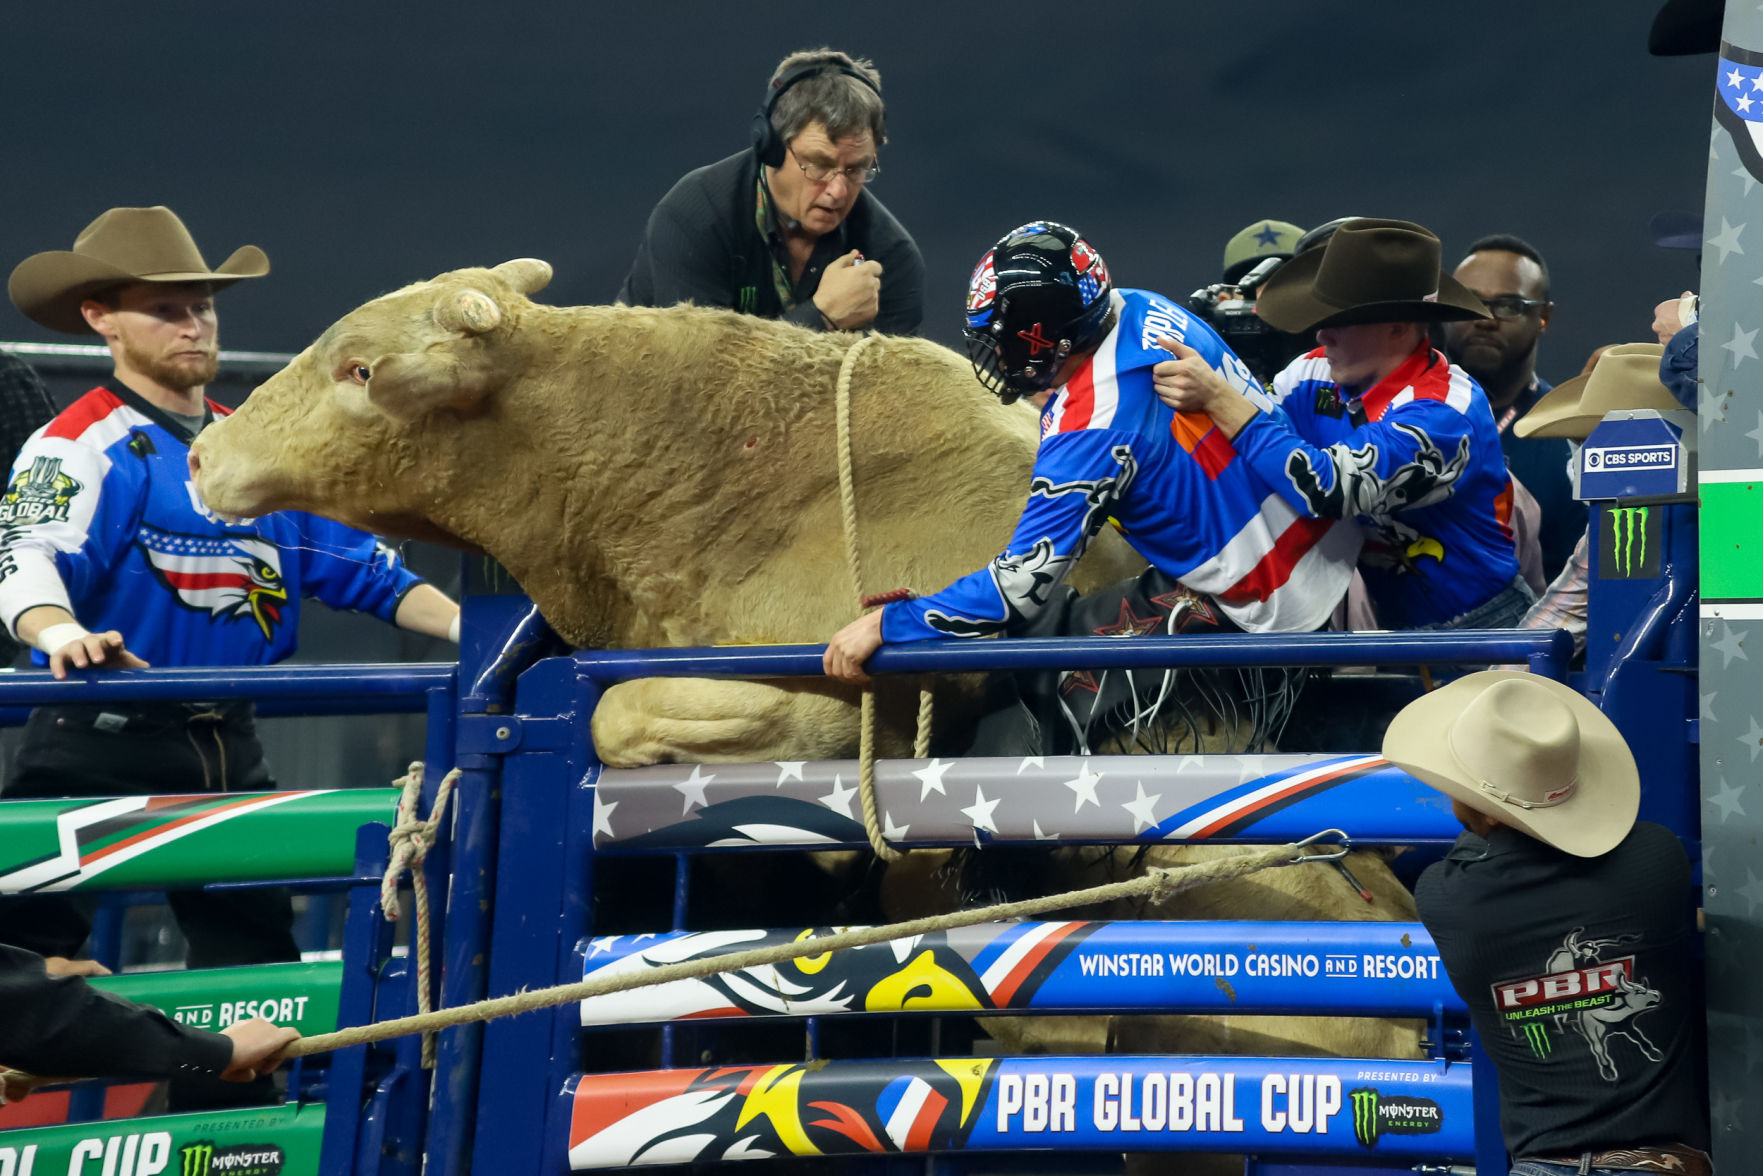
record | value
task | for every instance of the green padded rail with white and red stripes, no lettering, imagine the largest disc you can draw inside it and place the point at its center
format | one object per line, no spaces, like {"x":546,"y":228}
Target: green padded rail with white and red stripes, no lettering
{"x":179,"y":842}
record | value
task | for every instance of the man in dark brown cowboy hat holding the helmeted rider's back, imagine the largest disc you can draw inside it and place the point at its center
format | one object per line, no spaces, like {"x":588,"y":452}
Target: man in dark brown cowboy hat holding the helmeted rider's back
{"x":1378,"y":426}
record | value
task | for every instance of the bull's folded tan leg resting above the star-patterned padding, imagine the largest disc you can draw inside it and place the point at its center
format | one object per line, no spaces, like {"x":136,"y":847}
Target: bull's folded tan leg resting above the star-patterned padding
{"x":690,"y":720}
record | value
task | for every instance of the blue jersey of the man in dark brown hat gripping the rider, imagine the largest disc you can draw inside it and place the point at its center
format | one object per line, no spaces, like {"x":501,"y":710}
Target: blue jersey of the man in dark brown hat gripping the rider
{"x":1417,"y":459}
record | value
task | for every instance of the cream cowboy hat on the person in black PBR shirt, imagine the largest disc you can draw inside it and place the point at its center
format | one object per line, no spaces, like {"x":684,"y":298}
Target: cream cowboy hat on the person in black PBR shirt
{"x":1526,"y":750}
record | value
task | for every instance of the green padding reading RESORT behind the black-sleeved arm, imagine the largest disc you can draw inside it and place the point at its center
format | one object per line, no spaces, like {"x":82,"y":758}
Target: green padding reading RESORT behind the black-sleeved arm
{"x":212,"y":999}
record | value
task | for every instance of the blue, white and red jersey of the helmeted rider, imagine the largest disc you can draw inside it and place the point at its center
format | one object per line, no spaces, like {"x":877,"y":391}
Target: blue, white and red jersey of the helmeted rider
{"x":1112,"y":450}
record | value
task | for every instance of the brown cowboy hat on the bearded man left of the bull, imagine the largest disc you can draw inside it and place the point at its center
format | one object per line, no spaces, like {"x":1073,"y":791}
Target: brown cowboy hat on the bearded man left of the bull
{"x":123,"y":246}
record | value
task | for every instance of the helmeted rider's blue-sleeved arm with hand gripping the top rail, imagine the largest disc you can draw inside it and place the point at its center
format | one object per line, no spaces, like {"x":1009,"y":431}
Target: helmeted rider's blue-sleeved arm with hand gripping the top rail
{"x":1078,"y":479}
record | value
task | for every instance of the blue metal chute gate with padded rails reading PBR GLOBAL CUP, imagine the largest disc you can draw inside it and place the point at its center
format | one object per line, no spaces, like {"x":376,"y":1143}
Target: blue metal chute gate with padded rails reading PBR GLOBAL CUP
{"x":562,"y":814}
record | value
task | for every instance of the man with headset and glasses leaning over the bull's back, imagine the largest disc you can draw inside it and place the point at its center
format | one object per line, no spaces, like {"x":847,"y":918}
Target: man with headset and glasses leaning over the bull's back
{"x":789,"y":228}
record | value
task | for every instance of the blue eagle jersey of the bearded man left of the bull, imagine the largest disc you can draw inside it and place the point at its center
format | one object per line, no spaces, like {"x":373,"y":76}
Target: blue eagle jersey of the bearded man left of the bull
{"x":101,"y":517}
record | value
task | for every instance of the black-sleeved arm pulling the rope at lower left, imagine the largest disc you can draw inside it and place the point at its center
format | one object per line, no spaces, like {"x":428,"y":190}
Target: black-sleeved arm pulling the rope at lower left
{"x":64,"y":1027}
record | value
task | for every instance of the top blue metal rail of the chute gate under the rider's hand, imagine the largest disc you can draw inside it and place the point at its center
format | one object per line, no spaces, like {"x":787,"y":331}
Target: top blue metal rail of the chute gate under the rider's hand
{"x":1545,"y":651}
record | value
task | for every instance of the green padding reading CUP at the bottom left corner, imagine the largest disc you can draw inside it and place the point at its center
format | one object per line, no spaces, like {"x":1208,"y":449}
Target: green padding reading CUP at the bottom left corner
{"x":262,"y":1142}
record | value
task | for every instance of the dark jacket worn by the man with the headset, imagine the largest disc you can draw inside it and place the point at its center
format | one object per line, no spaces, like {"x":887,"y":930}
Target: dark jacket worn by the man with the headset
{"x":704,"y":246}
